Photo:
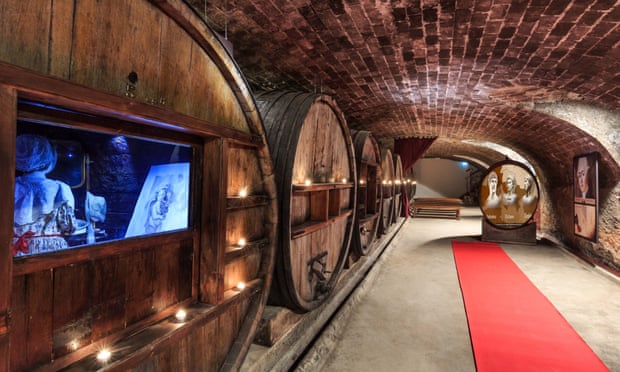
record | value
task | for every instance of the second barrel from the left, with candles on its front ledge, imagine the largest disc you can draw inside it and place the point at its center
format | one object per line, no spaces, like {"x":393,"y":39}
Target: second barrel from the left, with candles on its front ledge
{"x":314,"y":166}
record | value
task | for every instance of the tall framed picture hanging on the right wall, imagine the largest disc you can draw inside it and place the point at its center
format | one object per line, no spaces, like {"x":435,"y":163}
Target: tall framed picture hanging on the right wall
{"x":585,"y":202}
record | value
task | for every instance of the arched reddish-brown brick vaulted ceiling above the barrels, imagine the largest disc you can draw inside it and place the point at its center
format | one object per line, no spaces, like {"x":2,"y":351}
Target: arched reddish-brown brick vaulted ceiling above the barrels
{"x":455,"y":69}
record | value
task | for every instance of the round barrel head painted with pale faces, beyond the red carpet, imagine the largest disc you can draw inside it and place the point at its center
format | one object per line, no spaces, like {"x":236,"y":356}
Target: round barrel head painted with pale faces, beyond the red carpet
{"x":508,"y":194}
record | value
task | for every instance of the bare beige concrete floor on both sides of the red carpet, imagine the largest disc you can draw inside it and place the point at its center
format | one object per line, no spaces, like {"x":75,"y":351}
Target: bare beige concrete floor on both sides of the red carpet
{"x":410,"y":316}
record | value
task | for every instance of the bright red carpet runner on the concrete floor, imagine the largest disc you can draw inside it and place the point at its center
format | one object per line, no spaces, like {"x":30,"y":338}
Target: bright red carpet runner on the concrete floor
{"x":513,"y":326}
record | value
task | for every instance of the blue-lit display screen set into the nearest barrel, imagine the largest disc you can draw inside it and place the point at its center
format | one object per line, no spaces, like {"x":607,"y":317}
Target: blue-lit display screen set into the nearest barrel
{"x":79,"y":187}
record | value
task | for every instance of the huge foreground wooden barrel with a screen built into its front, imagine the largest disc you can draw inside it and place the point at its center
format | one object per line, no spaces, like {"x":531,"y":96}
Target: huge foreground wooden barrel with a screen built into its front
{"x":153,"y":106}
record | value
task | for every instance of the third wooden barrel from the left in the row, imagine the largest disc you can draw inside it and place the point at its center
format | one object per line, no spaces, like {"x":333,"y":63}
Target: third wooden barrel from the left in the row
{"x":369,"y":192}
